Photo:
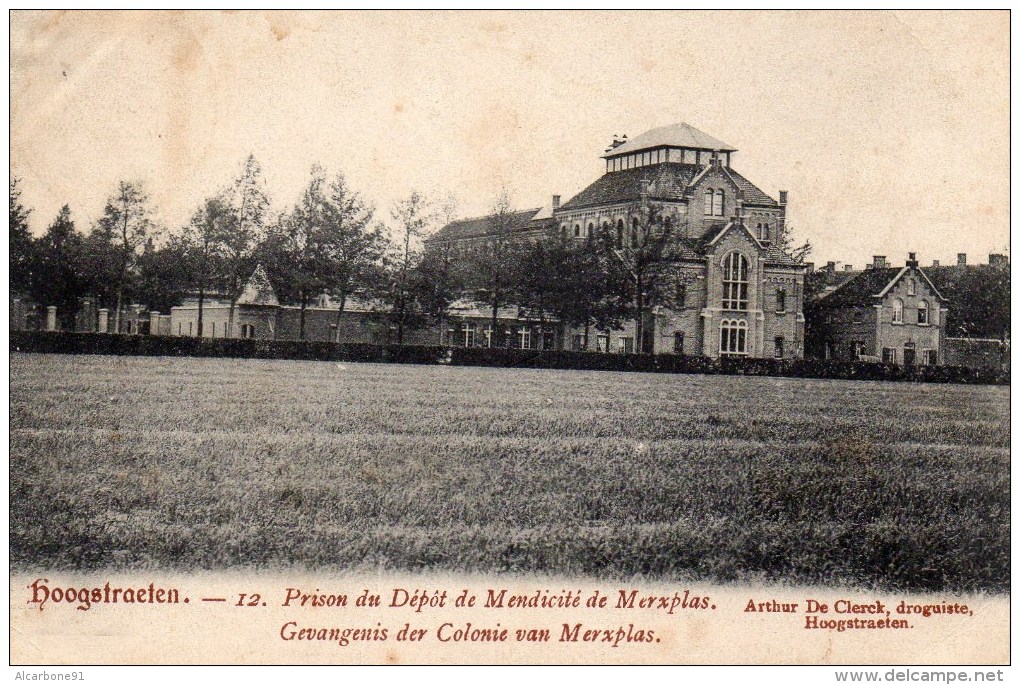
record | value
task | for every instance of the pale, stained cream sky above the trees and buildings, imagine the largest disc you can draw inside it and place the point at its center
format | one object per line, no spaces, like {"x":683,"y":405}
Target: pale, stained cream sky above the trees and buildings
{"x":890,"y":131}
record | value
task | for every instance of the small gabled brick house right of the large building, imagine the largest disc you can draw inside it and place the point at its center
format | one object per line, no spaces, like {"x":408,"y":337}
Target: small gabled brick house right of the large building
{"x":895,"y":315}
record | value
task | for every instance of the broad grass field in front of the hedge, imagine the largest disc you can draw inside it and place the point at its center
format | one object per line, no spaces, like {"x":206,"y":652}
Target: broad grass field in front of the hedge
{"x":184,"y":464}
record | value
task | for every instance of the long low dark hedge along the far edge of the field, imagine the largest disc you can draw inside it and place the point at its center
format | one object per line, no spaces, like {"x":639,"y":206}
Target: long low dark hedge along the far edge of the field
{"x":101,"y":344}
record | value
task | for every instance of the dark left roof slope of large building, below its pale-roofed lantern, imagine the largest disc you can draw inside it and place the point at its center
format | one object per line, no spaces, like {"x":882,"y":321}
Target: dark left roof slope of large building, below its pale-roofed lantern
{"x":669,"y":182}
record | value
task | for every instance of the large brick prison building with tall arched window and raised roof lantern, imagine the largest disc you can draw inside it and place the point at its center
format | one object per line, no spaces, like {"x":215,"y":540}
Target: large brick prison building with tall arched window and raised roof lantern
{"x":744,"y":296}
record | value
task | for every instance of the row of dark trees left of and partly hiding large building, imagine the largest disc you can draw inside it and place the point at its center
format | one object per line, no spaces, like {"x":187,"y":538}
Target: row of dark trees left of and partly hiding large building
{"x":331,"y":242}
